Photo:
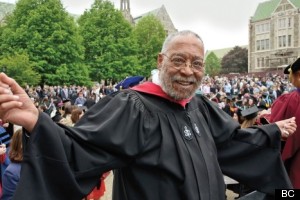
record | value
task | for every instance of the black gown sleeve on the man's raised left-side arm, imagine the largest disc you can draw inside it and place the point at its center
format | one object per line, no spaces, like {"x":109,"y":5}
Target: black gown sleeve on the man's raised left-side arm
{"x":67,"y":162}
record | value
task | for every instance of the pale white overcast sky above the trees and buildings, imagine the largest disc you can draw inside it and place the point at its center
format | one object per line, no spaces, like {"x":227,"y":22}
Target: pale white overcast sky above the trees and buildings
{"x":220,"y":23}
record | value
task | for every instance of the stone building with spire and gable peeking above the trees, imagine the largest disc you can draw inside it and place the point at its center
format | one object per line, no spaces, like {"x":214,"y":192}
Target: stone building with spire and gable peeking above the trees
{"x":161,"y":13}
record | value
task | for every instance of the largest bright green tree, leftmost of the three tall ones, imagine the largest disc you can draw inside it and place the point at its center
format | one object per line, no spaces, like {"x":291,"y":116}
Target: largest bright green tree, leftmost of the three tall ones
{"x":49,"y":35}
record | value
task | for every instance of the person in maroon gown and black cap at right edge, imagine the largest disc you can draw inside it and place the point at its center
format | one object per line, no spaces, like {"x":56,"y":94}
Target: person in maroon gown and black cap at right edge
{"x":286,"y":106}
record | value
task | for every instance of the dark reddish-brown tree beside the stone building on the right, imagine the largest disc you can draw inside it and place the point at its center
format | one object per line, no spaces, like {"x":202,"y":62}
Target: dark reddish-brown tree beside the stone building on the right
{"x":235,"y":61}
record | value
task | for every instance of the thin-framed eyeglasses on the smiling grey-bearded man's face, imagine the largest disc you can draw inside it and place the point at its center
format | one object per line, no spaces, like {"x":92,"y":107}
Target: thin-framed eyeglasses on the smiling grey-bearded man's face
{"x":179,"y":62}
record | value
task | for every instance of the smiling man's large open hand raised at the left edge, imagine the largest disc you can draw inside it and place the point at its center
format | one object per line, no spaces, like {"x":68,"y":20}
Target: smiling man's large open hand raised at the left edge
{"x":15,"y":105}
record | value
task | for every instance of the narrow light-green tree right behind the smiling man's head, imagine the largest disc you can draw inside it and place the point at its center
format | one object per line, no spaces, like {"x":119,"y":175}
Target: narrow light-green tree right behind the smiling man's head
{"x":150,"y":35}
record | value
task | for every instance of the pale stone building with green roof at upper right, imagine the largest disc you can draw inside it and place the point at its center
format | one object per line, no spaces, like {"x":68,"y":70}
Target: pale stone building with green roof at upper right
{"x":274,"y":35}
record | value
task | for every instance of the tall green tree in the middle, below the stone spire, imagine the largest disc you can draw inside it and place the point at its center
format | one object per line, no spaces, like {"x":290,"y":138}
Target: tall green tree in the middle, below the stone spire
{"x":110,"y":51}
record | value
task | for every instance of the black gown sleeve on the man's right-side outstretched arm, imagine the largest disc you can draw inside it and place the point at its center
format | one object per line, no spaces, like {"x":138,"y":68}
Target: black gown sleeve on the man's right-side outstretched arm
{"x":250,"y":156}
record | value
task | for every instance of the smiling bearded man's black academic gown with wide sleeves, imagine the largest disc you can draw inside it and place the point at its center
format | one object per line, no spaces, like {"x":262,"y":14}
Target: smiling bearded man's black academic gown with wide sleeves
{"x":159,"y":150}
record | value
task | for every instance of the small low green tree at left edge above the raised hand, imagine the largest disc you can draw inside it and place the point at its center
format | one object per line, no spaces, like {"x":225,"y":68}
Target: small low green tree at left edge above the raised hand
{"x":20,"y":68}
